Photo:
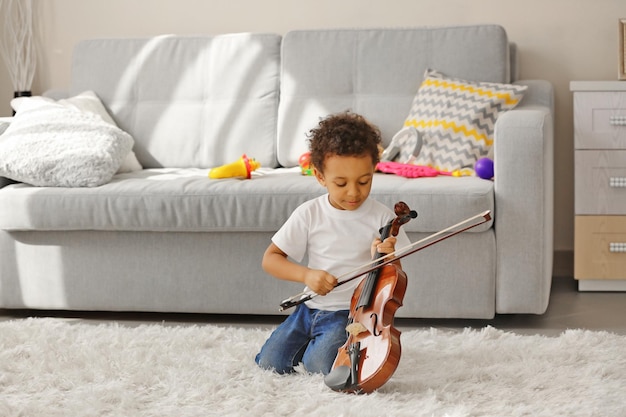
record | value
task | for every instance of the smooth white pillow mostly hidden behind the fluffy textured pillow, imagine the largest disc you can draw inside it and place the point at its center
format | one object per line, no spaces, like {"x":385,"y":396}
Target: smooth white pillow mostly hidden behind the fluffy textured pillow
{"x":87,"y":101}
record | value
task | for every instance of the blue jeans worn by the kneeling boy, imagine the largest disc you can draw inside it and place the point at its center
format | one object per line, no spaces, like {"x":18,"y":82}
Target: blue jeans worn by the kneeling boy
{"x":308,"y":336}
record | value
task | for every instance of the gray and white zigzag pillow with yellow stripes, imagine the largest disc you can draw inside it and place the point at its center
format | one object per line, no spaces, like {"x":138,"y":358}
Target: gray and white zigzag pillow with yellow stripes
{"x":456,"y":120}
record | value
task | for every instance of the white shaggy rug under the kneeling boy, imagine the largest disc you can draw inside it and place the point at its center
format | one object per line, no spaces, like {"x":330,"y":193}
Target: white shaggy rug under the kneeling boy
{"x":53,"y":367}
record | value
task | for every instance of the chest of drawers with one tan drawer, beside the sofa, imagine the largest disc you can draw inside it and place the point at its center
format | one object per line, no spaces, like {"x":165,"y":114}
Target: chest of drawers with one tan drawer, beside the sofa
{"x":600,"y":185}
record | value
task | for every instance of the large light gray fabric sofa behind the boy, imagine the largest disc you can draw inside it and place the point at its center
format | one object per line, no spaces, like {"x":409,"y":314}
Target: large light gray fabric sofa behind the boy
{"x":168,"y":239}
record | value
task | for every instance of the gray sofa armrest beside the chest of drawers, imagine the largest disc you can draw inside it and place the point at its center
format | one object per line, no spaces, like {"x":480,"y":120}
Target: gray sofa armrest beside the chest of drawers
{"x":524,"y":194}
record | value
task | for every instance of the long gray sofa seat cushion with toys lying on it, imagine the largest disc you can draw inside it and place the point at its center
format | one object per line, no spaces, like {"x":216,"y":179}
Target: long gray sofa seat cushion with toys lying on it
{"x":170,"y":199}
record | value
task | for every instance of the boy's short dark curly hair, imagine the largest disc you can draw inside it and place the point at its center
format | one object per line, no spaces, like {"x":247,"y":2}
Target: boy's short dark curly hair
{"x":343,"y":134}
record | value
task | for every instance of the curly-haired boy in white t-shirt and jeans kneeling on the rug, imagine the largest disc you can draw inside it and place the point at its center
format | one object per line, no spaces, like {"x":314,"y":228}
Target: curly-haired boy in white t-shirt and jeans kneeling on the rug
{"x":338,"y":233}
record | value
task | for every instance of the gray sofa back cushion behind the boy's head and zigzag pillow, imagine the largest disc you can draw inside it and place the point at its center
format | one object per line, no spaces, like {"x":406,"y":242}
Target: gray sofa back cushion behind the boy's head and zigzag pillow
{"x":375,"y":73}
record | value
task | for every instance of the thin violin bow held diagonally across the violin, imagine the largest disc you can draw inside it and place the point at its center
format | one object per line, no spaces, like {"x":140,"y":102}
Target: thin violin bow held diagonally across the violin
{"x":393,"y":256}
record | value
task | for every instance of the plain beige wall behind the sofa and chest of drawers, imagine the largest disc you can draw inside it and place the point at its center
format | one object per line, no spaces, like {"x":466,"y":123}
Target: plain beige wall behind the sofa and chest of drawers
{"x":558,"y":40}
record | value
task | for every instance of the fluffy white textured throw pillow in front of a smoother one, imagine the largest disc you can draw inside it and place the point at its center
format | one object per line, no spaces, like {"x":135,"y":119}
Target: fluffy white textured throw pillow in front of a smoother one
{"x":57,"y":146}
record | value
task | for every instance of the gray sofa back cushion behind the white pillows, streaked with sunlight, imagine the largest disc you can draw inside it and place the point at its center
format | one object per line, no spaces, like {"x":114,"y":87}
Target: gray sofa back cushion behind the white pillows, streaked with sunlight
{"x":199,"y":101}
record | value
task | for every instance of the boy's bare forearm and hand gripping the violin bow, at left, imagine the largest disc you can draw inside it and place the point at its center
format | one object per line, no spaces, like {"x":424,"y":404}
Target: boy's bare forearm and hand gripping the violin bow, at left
{"x":275,"y":263}
